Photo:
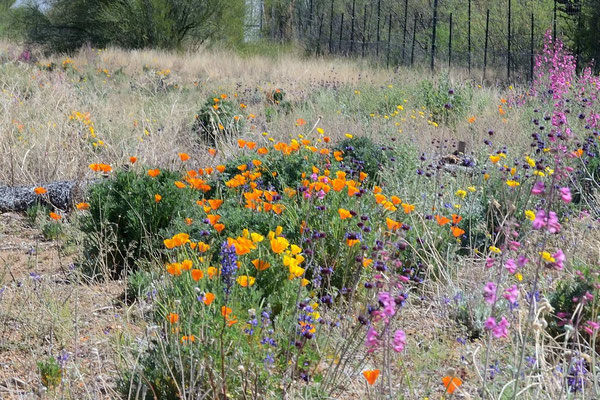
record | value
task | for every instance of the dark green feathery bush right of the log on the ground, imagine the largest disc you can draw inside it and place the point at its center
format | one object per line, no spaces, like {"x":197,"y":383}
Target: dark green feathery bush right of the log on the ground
{"x":125,"y":222}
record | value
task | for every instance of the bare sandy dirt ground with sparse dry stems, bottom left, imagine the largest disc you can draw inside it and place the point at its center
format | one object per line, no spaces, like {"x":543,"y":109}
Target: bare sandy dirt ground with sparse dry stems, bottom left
{"x":47,"y":310}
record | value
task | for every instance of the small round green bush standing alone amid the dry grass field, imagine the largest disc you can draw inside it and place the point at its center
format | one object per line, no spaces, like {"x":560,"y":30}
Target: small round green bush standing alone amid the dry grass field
{"x":217,"y":120}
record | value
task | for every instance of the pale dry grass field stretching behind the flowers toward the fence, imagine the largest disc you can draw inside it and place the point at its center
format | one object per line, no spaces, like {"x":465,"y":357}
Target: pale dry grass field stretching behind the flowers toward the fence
{"x":133,"y":115}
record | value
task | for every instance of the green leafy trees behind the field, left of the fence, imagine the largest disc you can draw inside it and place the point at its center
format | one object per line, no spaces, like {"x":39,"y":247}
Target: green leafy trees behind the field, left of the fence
{"x":68,"y":24}
